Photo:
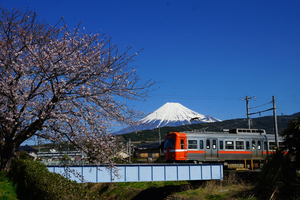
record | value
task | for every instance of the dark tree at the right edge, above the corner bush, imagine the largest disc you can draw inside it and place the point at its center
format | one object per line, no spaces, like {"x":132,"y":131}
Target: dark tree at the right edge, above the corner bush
{"x":292,"y":138}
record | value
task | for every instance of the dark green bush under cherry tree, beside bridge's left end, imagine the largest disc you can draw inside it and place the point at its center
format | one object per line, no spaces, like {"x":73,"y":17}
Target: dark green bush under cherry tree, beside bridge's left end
{"x":34,"y":181}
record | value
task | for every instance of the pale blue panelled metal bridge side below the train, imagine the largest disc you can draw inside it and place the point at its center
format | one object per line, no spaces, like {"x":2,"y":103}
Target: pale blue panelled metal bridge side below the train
{"x":141,"y":172}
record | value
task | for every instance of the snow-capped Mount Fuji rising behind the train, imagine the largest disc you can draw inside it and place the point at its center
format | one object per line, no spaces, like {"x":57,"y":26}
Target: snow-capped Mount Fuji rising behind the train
{"x":170,"y":114}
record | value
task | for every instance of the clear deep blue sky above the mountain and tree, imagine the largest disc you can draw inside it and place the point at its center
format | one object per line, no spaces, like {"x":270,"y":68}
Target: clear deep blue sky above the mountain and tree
{"x":208,"y":55}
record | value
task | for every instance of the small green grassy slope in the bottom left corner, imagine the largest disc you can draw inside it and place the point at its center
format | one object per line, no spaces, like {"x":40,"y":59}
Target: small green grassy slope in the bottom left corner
{"x":7,"y":190}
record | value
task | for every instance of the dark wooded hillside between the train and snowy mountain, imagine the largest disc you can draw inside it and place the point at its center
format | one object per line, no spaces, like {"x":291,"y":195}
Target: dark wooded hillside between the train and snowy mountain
{"x":266,"y":123}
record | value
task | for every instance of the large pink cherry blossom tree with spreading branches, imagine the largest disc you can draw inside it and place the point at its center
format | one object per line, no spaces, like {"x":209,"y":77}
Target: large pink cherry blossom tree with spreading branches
{"x":63,"y":84}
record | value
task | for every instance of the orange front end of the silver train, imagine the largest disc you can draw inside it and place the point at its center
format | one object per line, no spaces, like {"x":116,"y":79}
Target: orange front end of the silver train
{"x":175,"y":147}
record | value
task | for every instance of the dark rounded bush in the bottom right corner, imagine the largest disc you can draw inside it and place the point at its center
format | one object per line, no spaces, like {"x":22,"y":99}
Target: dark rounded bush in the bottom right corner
{"x":278,"y":178}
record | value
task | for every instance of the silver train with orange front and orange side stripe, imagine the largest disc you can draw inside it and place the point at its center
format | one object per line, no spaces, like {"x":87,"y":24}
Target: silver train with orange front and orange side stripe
{"x":232,"y":147}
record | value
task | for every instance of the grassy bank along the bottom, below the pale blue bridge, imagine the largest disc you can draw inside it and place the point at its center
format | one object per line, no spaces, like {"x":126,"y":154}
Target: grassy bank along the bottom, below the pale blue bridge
{"x":206,"y":190}
